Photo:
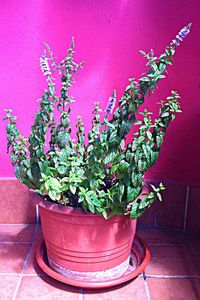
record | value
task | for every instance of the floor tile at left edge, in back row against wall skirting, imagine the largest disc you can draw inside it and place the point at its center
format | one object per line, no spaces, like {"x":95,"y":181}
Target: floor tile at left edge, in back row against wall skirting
{"x":16,"y":233}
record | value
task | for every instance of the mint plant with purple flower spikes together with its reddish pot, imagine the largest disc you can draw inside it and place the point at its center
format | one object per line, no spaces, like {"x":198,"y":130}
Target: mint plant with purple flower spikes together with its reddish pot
{"x":91,"y":188}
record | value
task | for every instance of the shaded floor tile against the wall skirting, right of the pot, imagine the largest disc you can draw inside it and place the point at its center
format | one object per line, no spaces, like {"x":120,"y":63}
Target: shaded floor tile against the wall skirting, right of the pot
{"x":155,"y":235}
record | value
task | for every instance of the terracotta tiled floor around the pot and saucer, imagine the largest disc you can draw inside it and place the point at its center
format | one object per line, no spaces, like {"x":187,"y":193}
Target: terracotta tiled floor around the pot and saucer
{"x":173,"y":272}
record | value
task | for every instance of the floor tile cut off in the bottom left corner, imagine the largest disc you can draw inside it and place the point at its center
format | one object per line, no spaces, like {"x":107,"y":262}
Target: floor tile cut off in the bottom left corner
{"x":8,"y":285}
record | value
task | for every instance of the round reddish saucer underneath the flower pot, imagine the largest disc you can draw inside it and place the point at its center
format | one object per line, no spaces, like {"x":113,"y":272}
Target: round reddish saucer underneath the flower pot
{"x":140,"y":257}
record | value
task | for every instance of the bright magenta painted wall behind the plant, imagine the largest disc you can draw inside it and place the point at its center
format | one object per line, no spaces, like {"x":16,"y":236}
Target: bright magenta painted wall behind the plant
{"x":108,"y":35}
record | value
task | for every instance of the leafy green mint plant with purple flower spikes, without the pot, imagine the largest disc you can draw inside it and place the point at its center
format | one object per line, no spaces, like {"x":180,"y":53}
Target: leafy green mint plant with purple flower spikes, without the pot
{"x":104,"y":175}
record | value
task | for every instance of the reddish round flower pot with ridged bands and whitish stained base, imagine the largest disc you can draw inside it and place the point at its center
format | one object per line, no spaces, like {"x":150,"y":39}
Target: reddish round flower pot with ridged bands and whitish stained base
{"x":84,"y":244}
